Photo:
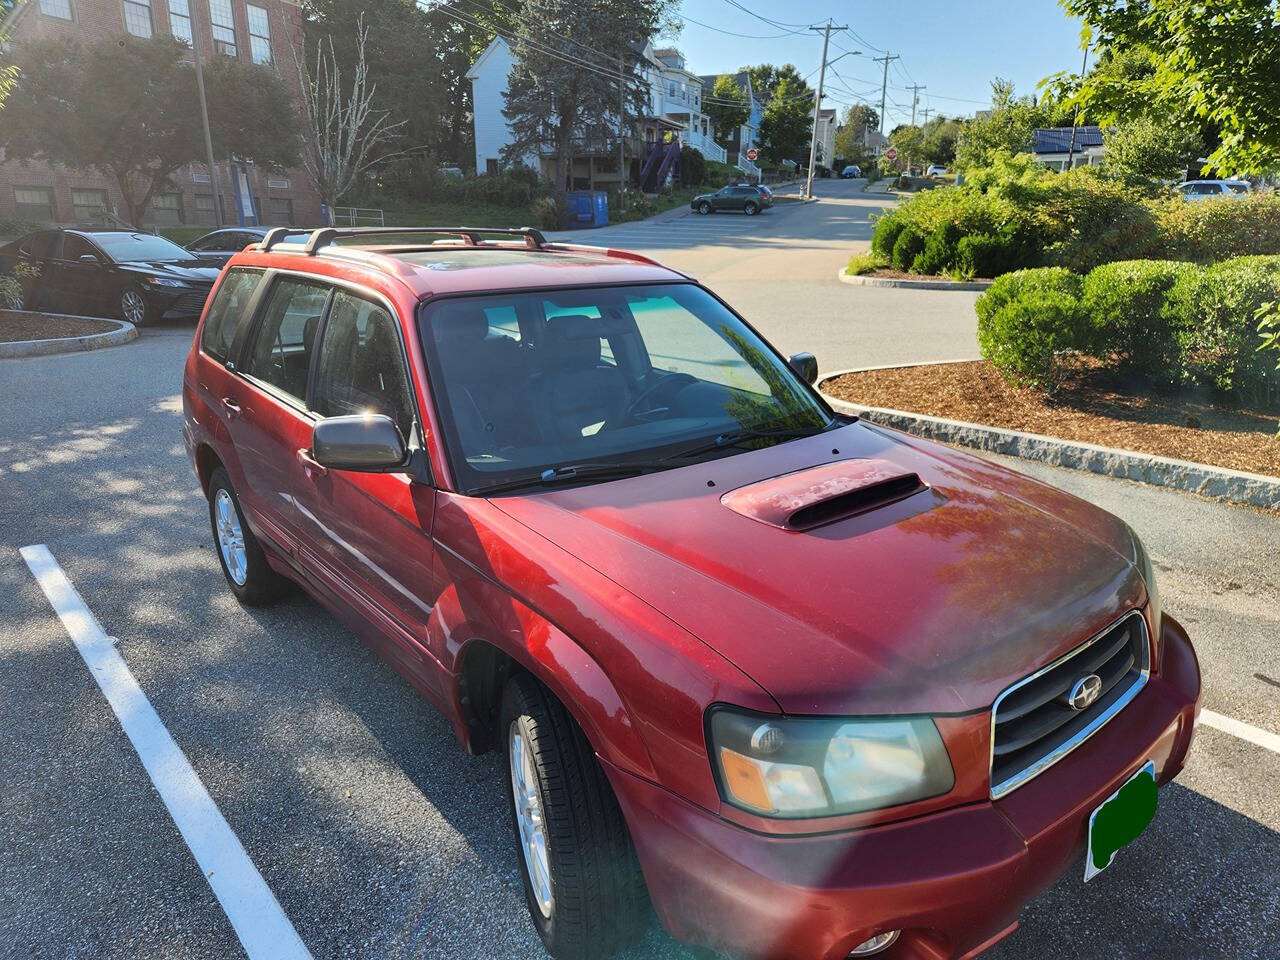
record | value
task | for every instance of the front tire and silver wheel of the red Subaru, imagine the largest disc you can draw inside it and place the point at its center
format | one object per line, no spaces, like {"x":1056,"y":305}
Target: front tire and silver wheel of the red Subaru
{"x":595,"y":898}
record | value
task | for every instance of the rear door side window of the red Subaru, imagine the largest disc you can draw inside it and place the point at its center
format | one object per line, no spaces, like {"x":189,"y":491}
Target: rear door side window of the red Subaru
{"x":282,"y":348}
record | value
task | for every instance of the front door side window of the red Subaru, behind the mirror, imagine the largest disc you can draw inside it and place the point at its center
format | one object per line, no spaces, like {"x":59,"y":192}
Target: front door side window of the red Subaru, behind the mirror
{"x":363,"y":364}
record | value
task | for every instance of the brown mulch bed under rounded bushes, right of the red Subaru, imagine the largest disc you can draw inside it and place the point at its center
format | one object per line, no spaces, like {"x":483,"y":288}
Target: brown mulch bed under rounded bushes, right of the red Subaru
{"x":1092,"y":406}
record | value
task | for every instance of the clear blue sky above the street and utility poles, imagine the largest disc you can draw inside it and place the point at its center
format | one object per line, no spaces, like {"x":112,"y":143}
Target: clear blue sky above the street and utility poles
{"x":953,"y":48}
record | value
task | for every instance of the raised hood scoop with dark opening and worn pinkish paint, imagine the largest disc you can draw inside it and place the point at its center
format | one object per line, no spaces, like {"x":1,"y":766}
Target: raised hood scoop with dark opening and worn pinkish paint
{"x":824,"y":495}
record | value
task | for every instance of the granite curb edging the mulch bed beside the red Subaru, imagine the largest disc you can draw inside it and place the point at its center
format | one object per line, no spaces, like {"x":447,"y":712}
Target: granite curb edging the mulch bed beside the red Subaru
{"x":1215,"y":483}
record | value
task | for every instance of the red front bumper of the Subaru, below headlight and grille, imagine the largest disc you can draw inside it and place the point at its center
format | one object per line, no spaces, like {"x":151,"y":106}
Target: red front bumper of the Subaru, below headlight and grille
{"x":954,"y":883}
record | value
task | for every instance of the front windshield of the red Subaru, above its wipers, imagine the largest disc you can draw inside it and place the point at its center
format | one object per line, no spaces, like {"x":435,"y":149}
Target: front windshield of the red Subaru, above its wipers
{"x":534,"y":382}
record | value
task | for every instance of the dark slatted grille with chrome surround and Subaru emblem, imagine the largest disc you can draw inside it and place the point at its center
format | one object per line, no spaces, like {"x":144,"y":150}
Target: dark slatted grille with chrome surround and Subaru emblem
{"x":1034,"y":724}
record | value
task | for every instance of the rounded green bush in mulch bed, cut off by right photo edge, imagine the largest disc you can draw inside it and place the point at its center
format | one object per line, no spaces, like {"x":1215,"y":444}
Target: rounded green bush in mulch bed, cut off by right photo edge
{"x":1214,"y":317}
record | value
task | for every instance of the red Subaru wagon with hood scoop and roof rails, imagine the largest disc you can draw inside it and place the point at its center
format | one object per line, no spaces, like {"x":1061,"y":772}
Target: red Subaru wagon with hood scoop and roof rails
{"x":812,"y":688}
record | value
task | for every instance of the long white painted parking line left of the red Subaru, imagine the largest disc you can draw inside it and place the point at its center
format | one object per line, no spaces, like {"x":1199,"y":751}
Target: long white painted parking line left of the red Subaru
{"x":258,"y":920}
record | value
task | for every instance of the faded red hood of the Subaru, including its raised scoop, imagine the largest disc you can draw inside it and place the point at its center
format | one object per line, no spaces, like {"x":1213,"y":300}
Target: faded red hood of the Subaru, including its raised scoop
{"x":842,"y":588}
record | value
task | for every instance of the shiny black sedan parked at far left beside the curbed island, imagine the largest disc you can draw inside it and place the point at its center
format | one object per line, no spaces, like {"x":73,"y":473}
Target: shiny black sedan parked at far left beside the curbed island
{"x":126,"y":275}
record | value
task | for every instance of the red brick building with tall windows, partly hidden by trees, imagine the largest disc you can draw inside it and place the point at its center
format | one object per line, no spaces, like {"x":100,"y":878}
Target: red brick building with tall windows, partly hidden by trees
{"x":255,"y":31}
